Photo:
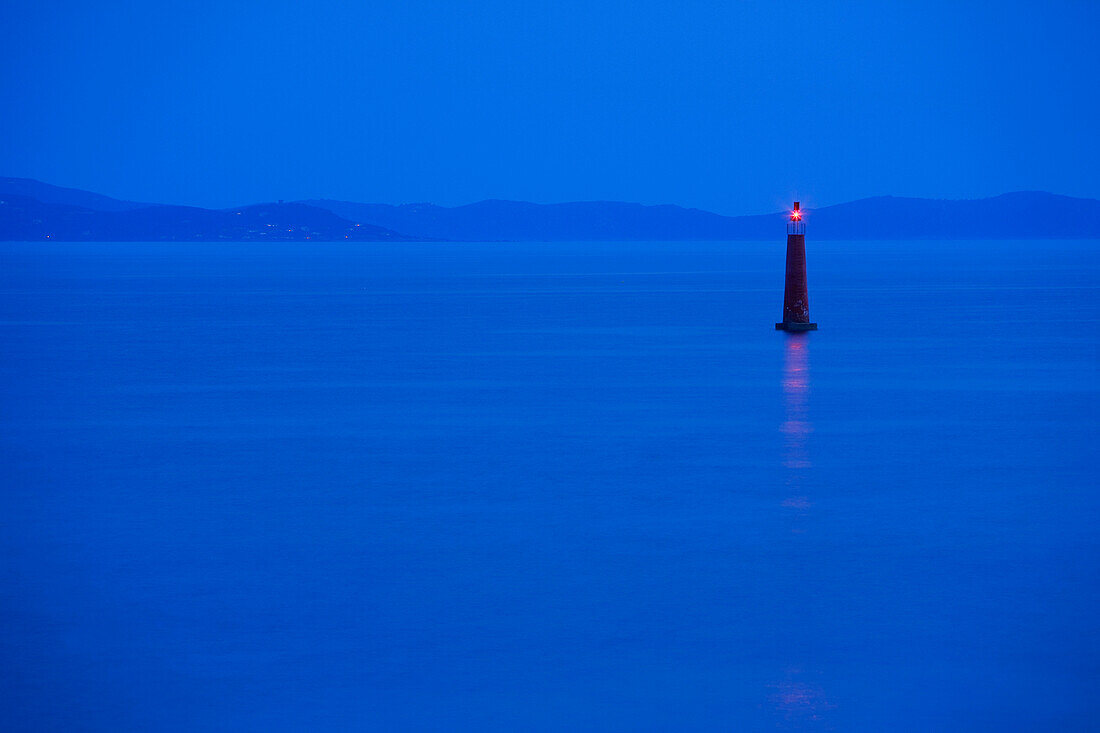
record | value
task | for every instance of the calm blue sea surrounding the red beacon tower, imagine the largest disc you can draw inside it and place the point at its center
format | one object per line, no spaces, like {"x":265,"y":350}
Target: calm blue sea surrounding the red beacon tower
{"x":580,"y":487}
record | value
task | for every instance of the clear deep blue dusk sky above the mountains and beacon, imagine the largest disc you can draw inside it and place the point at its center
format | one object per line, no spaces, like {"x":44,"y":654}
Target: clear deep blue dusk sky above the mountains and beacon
{"x":735,"y":107}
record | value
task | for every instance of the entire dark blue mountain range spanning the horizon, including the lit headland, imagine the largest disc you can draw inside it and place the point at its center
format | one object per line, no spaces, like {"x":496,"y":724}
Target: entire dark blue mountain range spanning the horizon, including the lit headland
{"x":34,"y":211}
